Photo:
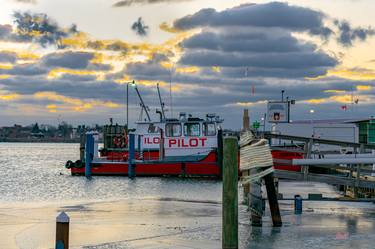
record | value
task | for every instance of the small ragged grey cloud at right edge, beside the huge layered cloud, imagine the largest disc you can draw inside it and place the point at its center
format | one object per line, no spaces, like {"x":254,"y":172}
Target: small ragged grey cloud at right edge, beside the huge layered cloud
{"x":347,"y":34}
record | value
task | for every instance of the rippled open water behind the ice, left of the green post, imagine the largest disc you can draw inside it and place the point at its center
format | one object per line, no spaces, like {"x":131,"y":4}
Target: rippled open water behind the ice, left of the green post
{"x":36,"y":172}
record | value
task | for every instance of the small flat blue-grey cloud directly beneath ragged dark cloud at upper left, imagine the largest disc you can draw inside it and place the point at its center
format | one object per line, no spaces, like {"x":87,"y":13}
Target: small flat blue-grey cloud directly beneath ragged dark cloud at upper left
{"x":73,"y":60}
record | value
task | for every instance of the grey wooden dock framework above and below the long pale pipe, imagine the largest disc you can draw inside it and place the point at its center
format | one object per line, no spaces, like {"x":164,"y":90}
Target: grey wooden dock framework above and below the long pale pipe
{"x":353,"y":178}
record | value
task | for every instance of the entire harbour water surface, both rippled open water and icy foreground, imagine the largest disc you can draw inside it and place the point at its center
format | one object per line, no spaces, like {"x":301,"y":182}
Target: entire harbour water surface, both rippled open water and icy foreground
{"x":36,"y":172}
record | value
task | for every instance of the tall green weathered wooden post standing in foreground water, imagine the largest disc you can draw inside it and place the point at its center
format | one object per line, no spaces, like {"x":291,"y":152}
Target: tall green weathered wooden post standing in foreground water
{"x":230,"y":194}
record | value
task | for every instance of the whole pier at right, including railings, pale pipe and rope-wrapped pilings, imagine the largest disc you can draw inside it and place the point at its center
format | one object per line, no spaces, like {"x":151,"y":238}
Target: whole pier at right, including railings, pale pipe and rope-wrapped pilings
{"x":351,"y":173}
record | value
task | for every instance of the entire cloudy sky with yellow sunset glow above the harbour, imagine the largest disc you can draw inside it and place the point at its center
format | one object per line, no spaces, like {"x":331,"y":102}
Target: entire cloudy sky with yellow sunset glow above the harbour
{"x":71,"y":60}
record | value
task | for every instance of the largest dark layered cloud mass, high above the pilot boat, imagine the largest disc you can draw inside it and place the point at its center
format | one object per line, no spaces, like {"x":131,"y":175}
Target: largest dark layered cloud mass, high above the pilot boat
{"x":257,"y":37}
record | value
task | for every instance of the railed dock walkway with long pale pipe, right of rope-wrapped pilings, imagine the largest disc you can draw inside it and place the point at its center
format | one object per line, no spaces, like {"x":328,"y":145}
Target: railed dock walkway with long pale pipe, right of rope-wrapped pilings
{"x":352,"y":173}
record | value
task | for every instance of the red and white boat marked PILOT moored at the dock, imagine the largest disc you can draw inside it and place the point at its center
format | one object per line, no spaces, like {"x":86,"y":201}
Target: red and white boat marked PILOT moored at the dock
{"x":187,"y":146}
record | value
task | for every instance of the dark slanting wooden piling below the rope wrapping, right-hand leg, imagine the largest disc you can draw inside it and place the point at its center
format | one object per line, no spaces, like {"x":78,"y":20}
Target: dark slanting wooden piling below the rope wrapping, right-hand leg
{"x":272,"y":199}
